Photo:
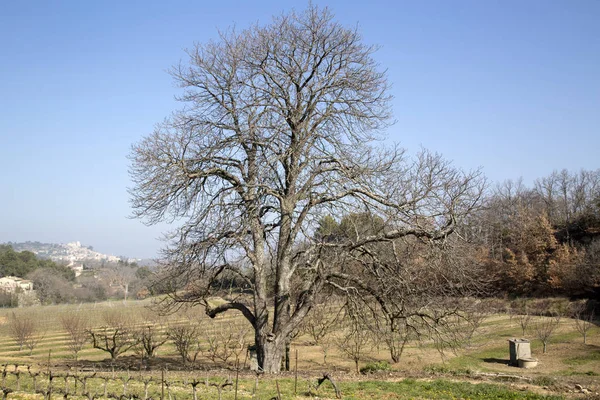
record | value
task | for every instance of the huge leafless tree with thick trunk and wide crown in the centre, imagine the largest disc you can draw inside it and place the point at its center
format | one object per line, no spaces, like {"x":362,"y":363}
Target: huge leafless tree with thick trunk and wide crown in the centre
{"x":280,"y":127}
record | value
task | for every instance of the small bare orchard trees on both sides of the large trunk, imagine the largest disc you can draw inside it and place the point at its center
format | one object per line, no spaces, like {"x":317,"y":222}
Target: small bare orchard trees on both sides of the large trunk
{"x":351,"y":328}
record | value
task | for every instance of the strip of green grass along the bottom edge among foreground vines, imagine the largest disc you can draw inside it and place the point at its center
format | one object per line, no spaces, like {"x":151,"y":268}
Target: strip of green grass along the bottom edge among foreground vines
{"x":267,"y":388}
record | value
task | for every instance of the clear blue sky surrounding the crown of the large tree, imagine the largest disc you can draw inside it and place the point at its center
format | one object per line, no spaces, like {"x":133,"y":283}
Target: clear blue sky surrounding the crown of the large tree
{"x":510,"y":86}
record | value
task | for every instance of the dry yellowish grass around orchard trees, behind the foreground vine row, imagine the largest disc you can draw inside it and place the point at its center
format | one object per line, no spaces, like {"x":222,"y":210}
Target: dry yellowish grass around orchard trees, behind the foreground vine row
{"x":567,"y":361}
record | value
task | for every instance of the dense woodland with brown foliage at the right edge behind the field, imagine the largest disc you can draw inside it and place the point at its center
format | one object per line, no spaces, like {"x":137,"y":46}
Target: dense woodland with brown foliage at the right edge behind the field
{"x":545,"y":239}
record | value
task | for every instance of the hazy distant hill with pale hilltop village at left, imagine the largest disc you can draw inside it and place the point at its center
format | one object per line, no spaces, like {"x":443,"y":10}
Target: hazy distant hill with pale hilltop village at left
{"x":70,"y":252}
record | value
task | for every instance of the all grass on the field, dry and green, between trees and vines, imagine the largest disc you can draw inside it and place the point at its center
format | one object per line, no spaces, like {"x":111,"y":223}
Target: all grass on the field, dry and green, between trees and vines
{"x":568,"y":360}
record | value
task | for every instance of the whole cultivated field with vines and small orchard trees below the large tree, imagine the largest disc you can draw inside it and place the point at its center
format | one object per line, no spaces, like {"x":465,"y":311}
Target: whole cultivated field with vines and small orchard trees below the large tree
{"x":187,"y":355}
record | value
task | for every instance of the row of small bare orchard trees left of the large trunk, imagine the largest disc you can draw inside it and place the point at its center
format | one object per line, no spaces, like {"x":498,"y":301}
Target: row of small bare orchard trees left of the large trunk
{"x":117,"y":332}
